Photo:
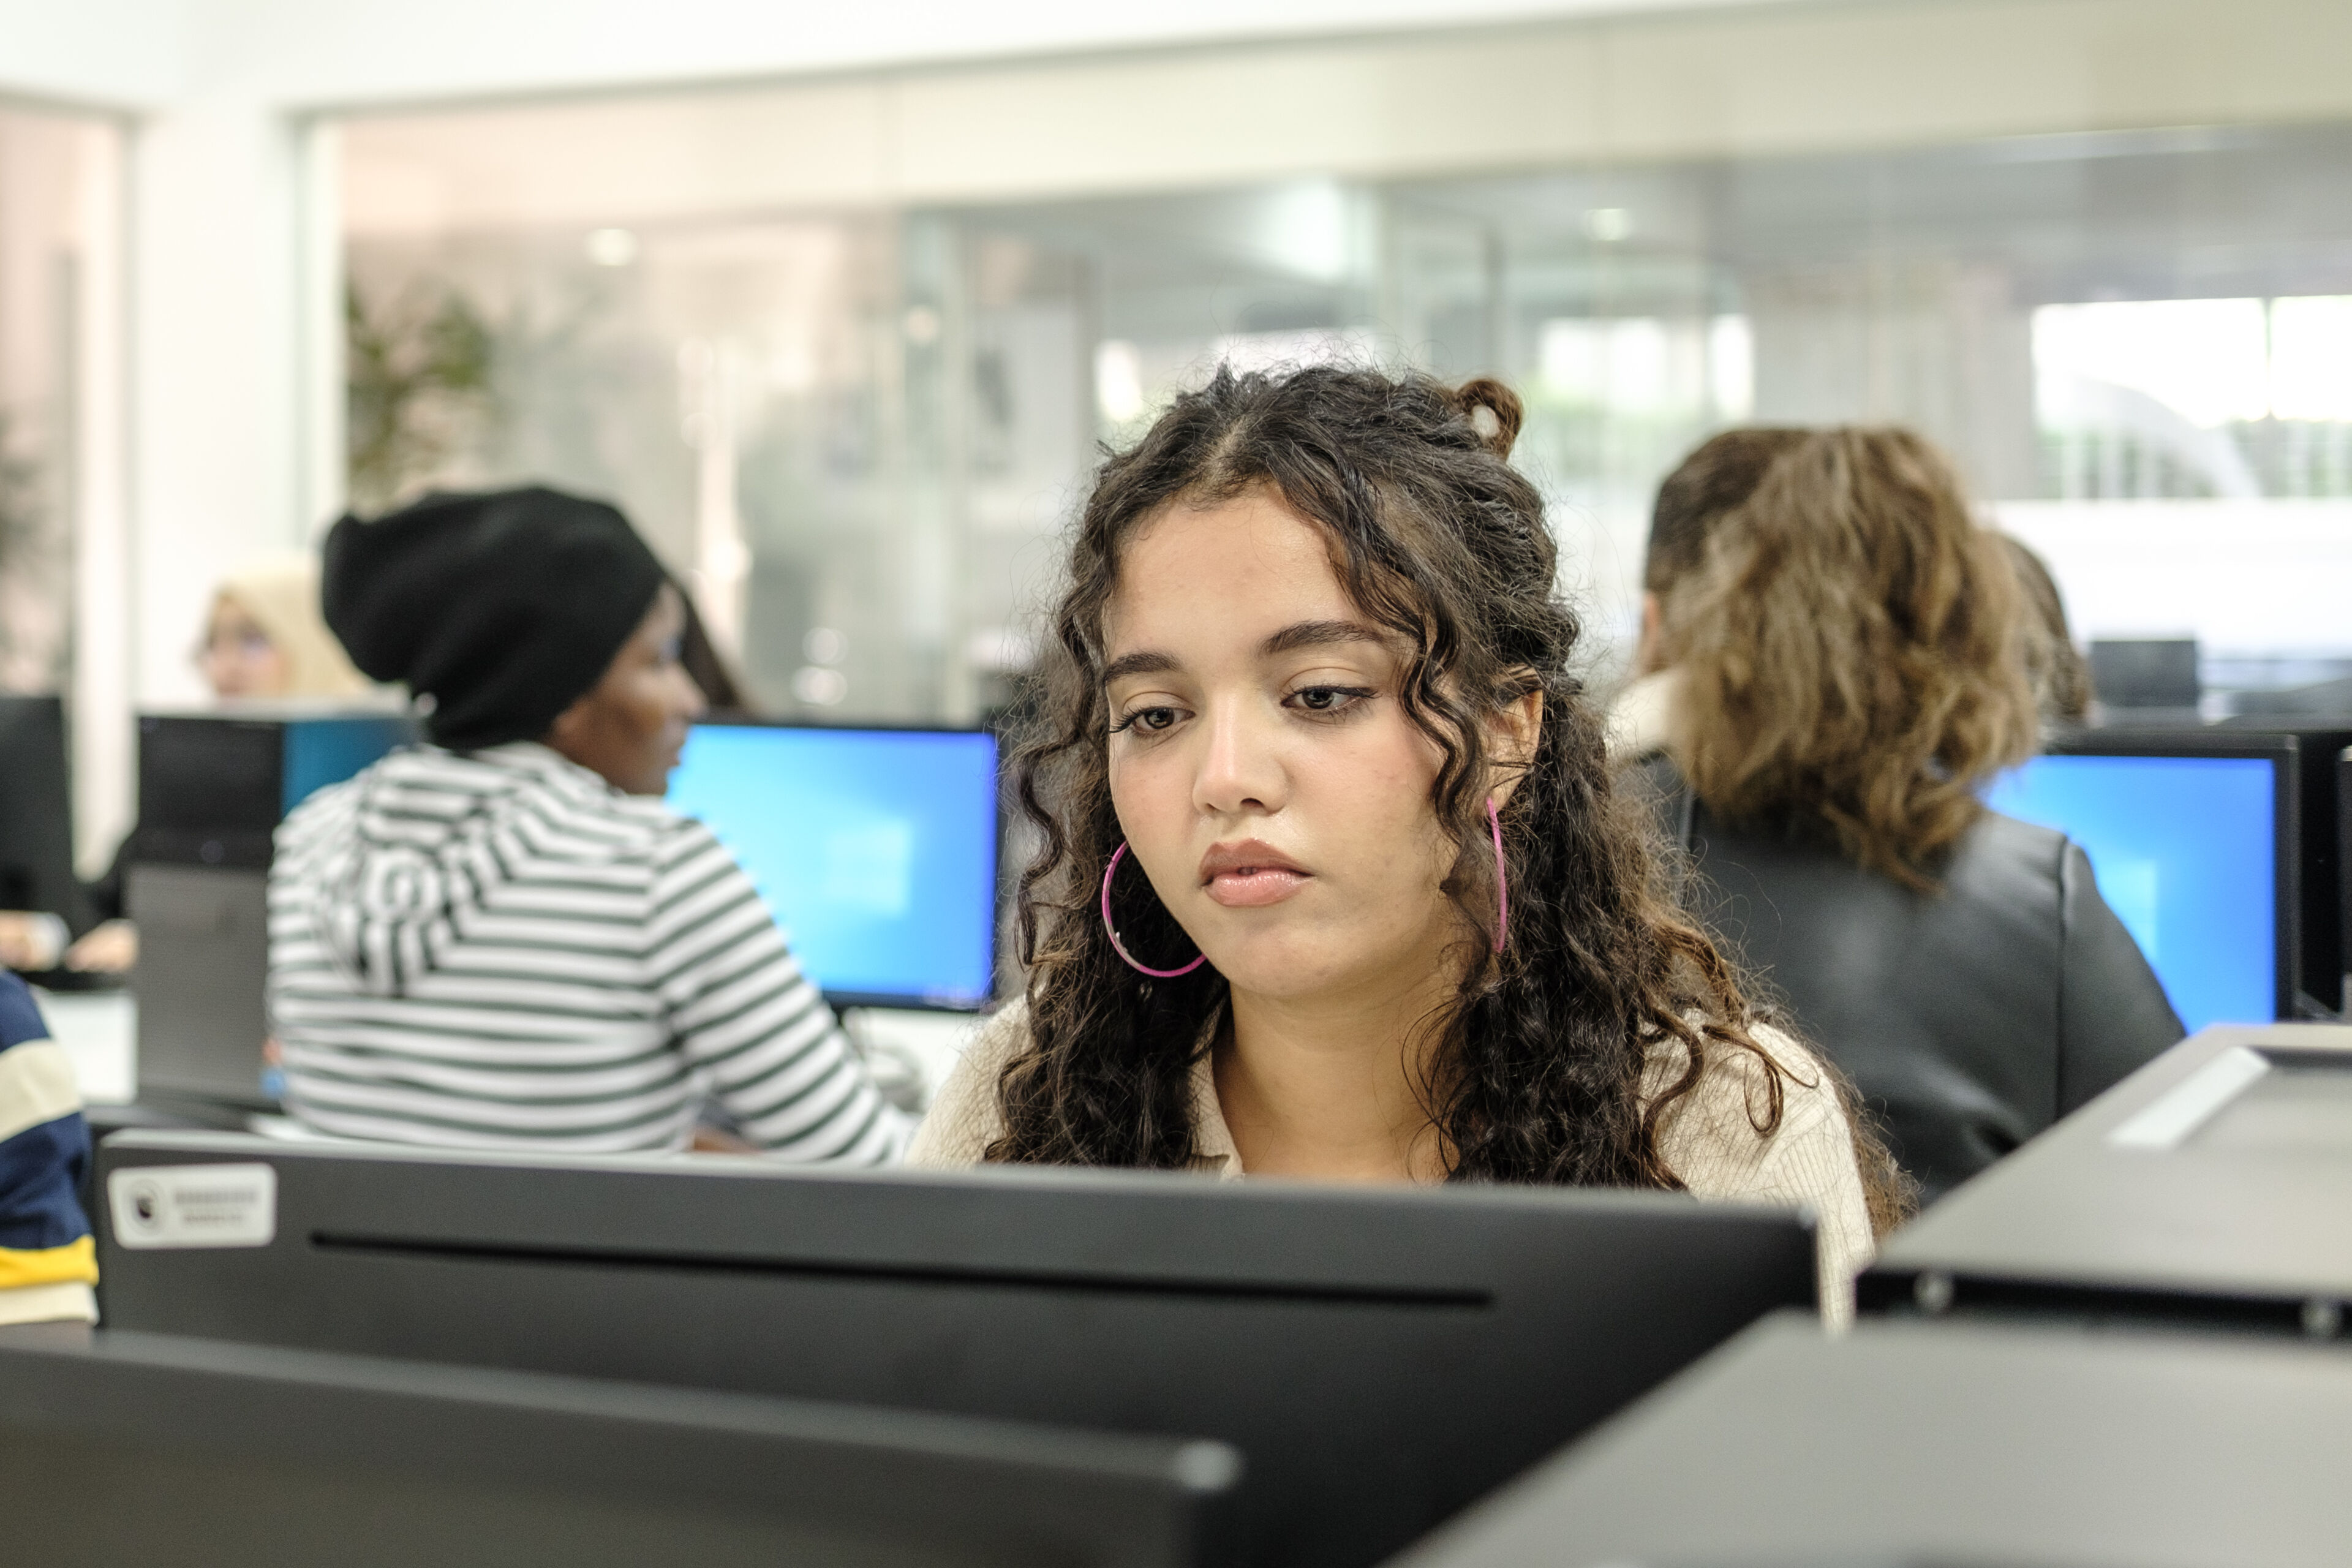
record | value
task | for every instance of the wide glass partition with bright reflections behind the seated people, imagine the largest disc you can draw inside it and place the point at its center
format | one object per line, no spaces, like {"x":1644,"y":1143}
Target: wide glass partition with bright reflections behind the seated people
{"x":860,"y":434}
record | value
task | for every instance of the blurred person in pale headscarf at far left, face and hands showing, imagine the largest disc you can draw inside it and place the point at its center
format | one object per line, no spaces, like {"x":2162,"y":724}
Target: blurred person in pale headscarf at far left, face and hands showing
{"x":265,"y":638}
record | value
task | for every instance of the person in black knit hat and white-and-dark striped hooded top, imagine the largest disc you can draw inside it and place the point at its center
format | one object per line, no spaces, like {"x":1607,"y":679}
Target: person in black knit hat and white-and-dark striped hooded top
{"x":505,"y":937}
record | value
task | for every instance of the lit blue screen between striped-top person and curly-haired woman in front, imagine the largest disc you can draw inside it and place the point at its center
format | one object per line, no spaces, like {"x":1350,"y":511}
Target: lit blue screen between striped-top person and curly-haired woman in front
{"x":876,"y":850}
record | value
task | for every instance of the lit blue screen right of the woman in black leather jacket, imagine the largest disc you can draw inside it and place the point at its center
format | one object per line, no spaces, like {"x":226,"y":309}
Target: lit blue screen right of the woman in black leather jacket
{"x":2186,"y":857}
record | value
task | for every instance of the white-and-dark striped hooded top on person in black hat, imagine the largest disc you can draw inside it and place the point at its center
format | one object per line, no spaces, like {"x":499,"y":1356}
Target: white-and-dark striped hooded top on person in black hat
{"x":500,"y":949}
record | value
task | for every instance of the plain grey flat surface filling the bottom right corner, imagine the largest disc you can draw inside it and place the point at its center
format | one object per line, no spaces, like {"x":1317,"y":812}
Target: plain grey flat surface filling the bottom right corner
{"x":1953,"y":1445}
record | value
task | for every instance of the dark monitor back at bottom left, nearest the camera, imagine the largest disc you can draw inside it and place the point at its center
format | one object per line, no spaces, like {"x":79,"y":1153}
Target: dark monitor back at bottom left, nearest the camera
{"x":147,"y":1452}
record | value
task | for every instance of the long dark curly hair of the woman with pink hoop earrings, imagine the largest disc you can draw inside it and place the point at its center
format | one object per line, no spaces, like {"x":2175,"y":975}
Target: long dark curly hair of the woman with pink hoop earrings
{"x":1537,"y":1068}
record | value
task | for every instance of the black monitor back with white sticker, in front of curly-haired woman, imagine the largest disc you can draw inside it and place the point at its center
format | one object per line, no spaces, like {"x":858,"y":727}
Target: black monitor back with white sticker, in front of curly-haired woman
{"x":1377,"y":1355}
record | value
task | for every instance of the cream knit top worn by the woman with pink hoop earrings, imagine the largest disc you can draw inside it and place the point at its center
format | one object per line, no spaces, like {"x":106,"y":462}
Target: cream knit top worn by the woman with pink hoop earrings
{"x":1709,"y":1137}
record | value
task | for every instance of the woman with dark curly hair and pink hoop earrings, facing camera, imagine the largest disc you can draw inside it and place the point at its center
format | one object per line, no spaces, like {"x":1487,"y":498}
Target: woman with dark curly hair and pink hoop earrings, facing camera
{"x":1335,"y":880}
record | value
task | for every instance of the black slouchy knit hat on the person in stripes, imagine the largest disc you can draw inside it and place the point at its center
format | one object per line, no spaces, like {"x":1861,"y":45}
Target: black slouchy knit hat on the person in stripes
{"x":507,"y":608}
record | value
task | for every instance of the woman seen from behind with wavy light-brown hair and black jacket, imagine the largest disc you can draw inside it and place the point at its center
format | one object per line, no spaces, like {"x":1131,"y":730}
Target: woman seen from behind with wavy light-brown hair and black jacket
{"x":1838,"y":669}
